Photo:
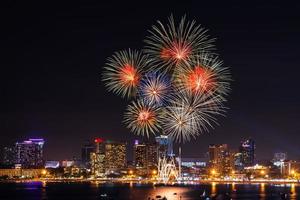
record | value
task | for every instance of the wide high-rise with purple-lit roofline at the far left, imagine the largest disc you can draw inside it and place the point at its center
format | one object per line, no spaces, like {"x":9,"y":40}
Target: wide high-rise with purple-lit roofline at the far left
{"x":29,"y":153}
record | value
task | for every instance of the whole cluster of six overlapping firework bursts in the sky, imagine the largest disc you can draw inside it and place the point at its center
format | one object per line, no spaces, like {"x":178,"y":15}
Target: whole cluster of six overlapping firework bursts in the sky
{"x":179,"y":83}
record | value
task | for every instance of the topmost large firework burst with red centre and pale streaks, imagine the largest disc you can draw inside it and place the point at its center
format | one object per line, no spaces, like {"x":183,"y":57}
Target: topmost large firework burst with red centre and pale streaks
{"x":171,"y":44}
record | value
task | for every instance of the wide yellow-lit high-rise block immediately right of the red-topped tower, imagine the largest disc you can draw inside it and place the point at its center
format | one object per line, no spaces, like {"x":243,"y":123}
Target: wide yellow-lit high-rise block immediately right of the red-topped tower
{"x":115,"y":156}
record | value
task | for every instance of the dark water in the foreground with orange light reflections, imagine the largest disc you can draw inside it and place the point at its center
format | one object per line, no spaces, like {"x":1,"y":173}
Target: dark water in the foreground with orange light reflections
{"x":92,"y":191}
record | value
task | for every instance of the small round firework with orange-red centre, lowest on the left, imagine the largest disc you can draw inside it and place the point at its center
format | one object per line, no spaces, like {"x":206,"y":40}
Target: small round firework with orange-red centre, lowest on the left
{"x":142,"y":118}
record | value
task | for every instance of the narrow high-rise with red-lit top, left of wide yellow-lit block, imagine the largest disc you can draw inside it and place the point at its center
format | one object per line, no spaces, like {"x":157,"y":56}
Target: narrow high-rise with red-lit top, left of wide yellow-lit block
{"x":97,"y":158}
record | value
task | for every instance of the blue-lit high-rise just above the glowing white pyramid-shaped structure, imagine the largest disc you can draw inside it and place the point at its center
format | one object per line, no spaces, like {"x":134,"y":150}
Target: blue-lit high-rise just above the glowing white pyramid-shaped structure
{"x":165,"y":146}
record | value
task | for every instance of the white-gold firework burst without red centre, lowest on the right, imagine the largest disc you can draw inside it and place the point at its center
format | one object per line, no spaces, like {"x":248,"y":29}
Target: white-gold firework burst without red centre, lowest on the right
{"x":190,"y":114}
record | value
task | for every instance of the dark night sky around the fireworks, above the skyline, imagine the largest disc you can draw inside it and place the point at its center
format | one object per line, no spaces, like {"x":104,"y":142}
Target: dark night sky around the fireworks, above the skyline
{"x":53,"y":53}
